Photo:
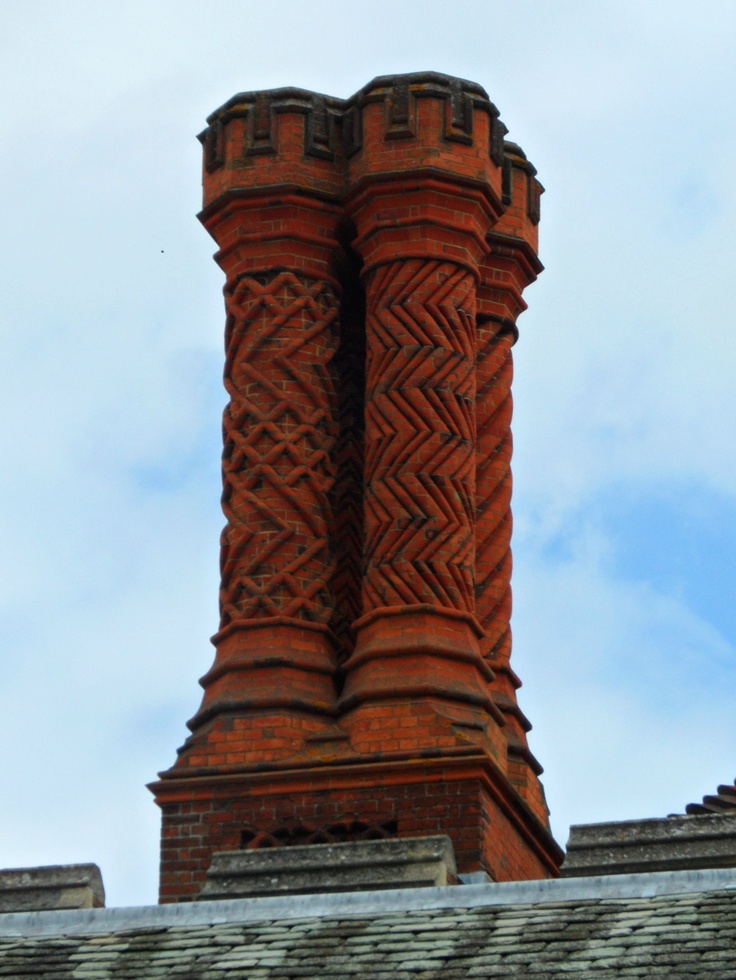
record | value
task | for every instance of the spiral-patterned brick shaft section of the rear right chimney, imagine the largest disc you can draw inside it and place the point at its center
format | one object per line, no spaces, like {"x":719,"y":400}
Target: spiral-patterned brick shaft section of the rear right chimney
{"x":494,"y":371}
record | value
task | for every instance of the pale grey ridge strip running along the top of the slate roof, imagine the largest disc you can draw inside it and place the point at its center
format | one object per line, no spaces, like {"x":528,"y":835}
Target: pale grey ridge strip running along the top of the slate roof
{"x":186,"y":914}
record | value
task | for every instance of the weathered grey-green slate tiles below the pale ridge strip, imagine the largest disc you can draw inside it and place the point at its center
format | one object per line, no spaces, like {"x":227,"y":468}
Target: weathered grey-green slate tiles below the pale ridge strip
{"x":679,"y":936}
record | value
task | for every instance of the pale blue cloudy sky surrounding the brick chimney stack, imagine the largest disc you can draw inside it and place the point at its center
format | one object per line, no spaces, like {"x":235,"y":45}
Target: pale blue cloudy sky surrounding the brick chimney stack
{"x":110,"y":389}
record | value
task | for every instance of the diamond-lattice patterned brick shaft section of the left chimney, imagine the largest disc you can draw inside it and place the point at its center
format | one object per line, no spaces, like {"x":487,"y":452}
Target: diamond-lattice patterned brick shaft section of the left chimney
{"x":279,"y":432}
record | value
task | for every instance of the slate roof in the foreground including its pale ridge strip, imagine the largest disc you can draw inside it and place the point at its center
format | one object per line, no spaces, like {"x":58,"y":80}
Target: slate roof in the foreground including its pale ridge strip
{"x":673,"y":924}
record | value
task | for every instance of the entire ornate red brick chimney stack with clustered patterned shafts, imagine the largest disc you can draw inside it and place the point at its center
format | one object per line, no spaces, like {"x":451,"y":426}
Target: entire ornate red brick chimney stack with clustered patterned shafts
{"x":375,"y":252}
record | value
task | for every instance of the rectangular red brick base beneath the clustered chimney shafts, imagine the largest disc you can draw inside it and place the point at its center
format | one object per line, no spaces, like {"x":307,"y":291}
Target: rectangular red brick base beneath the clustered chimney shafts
{"x":460,"y":795}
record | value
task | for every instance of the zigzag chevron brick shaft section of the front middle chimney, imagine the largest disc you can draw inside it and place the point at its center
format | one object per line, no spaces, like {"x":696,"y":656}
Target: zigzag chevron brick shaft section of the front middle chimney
{"x":420,"y":436}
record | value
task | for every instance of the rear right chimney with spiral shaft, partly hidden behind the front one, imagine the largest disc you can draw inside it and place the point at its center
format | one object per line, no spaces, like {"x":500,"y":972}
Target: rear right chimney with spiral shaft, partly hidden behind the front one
{"x":510,"y":265}
